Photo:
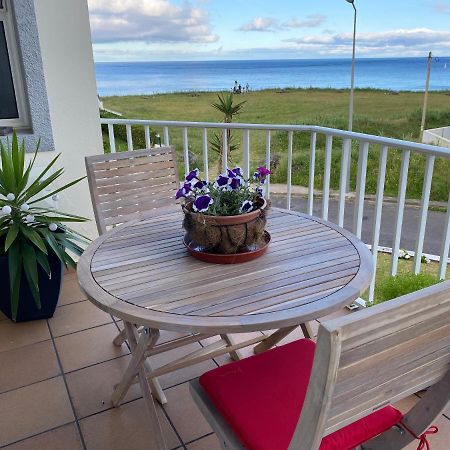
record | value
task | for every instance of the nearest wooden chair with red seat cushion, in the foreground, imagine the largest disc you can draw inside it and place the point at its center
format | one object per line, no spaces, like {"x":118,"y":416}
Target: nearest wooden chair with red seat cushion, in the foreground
{"x":337,"y":395}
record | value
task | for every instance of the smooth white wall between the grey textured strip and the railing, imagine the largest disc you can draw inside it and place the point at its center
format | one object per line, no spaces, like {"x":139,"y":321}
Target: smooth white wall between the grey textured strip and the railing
{"x":69,"y":73}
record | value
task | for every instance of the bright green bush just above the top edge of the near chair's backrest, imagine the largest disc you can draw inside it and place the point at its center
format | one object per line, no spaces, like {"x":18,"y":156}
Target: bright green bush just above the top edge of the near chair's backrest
{"x":399,"y":285}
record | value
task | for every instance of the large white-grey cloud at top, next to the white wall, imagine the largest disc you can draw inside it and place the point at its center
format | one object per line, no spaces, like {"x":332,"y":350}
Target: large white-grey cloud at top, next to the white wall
{"x":149,"y":21}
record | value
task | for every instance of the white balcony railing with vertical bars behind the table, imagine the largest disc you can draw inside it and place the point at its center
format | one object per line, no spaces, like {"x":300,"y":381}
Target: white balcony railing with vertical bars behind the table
{"x":366,"y":143}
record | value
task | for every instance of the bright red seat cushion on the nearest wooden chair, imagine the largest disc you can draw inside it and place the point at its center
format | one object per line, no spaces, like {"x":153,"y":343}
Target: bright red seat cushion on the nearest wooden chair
{"x":261,"y":399}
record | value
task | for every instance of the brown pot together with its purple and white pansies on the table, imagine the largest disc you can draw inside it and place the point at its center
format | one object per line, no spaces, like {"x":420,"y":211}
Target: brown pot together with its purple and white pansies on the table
{"x":227,"y":215}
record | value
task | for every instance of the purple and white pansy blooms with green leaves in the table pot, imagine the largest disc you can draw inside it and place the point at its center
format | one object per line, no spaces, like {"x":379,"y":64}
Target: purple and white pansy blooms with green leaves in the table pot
{"x":229,"y":194}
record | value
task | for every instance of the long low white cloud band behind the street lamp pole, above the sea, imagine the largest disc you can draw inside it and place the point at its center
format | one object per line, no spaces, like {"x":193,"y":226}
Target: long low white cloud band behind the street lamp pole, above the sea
{"x":402,"y":41}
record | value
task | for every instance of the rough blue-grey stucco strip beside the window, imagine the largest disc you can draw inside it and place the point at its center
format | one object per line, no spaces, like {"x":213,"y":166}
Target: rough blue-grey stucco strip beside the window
{"x":27,"y":36}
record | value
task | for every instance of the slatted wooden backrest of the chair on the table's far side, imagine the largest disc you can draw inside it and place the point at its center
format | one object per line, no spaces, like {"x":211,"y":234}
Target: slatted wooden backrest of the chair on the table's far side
{"x":124,"y":185}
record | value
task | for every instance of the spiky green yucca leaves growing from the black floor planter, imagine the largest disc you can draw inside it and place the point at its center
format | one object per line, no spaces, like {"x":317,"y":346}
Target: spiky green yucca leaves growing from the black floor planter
{"x":29,"y":233}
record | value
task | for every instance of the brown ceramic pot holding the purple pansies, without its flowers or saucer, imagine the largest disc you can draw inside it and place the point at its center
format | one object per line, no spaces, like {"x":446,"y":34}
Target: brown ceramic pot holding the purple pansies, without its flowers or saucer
{"x":227,"y":234}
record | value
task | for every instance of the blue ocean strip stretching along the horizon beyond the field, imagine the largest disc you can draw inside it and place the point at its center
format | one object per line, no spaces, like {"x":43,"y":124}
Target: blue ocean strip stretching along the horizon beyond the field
{"x":130,"y":78}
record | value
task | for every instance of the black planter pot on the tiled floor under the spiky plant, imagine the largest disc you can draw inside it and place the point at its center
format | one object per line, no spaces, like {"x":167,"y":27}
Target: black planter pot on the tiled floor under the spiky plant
{"x":49,"y":290}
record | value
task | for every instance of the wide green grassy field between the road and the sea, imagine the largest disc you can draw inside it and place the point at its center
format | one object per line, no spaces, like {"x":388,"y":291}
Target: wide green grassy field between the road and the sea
{"x":383,"y":113}
